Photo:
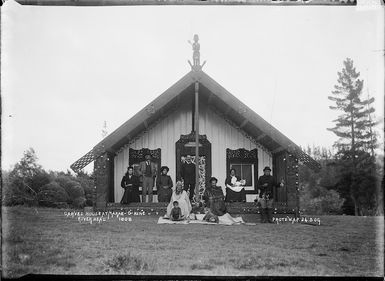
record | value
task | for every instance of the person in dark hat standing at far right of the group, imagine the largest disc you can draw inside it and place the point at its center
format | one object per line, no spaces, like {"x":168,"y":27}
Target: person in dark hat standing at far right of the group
{"x":265,"y":185}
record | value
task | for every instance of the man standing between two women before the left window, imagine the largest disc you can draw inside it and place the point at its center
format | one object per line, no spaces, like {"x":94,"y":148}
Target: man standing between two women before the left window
{"x":147,"y":169}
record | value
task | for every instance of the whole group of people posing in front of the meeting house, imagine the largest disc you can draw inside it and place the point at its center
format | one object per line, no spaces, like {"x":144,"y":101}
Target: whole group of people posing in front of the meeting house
{"x":180,"y":198}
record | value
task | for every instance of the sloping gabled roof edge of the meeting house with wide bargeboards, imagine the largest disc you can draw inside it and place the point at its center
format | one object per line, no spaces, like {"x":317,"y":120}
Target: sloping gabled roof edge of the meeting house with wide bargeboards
{"x":217,"y":98}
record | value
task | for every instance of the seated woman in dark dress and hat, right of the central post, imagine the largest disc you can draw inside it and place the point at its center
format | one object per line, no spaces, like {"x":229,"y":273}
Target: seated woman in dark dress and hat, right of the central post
{"x":214,"y":198}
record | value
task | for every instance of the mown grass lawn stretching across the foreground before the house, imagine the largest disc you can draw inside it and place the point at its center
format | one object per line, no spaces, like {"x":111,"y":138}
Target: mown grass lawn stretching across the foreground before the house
{"x":43,"y":240}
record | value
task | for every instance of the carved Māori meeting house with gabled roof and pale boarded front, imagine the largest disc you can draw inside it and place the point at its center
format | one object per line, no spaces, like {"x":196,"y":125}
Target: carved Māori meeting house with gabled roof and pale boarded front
{"x":231,"y":135}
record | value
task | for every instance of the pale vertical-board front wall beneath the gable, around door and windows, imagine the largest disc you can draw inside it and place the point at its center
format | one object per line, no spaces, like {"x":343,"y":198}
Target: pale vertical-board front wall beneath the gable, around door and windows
{"x":166,"y":133}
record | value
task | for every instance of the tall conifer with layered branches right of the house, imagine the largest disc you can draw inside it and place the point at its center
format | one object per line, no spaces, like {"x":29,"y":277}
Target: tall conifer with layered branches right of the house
{"x":354,"y":127}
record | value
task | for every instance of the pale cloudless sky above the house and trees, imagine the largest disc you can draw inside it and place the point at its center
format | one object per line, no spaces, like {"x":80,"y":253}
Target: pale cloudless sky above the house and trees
{"x":66,"y":70}
